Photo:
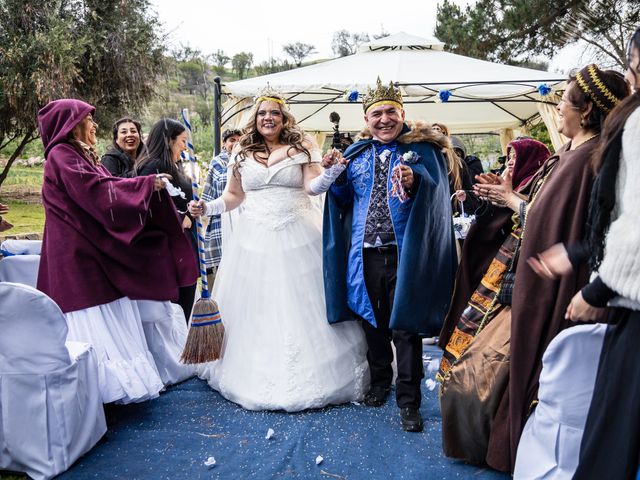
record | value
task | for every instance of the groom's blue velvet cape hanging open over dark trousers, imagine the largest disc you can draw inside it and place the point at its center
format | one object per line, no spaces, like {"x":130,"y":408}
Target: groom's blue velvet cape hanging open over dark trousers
{"x":423,"y":227}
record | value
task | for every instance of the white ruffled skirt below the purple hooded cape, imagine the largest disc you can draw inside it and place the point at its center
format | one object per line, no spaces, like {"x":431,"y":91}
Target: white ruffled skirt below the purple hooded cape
{"x":126,"y":369}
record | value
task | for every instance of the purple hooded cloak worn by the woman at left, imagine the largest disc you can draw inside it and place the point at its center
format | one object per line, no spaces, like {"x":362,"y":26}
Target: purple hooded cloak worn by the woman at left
{"x":104,"y":237}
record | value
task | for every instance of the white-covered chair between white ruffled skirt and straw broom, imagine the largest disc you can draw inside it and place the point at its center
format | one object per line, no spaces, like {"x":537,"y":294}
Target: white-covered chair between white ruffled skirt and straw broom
{"x":165,"y":330}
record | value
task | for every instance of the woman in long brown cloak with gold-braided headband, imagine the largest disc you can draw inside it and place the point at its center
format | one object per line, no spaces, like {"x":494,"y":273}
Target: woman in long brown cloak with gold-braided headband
{"x":557,"y":213}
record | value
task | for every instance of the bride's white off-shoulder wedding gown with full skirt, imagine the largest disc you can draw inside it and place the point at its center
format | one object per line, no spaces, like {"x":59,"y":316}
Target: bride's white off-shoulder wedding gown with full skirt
{"x":280,"y":353}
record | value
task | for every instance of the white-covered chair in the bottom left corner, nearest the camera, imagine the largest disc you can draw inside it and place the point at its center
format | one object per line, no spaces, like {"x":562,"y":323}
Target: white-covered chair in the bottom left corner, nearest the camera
{"x":50,"y":407}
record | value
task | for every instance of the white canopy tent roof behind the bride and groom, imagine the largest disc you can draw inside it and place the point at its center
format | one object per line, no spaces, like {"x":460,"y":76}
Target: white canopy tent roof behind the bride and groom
{"x":482,"y":96}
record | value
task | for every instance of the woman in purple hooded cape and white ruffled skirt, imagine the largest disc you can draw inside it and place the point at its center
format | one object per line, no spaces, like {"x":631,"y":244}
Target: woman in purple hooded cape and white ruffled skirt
{"x":106,"y":241}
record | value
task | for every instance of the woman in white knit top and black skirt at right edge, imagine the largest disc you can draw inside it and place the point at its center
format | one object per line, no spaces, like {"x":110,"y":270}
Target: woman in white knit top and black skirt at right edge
{"x":611,"y":439}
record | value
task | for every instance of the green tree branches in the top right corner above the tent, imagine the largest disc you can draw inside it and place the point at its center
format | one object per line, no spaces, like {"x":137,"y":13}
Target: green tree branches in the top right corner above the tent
{"x":505,"y":30}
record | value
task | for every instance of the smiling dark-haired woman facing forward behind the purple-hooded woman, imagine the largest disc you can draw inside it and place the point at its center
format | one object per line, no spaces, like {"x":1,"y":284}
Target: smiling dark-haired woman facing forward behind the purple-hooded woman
{"x":127,"y":146}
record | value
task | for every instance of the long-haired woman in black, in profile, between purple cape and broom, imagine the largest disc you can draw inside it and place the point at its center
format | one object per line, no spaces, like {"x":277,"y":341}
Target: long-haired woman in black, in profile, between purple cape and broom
{"x":167,"y":140}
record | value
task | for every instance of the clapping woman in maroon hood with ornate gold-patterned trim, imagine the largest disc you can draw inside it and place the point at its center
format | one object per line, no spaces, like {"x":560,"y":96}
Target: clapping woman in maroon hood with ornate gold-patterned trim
{"x":488,"y":254}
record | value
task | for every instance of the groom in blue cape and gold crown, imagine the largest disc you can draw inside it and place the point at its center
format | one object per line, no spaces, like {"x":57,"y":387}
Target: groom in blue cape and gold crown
{"x":389,"y":255}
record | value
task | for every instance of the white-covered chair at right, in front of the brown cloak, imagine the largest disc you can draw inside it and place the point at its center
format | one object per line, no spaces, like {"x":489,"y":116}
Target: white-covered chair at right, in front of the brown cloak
{"x":549,"y":447}
